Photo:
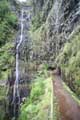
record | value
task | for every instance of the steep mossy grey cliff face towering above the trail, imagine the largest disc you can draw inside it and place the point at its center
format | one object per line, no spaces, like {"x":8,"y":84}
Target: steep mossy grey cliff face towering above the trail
{"x":54,"y":23}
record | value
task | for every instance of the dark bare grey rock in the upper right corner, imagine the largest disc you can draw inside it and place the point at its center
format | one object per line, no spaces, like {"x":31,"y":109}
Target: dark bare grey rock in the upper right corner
{"x":71,"y":14}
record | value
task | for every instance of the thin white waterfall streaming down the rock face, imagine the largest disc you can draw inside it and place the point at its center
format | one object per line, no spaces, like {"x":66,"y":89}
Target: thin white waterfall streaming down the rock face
{"x":16,"y":95}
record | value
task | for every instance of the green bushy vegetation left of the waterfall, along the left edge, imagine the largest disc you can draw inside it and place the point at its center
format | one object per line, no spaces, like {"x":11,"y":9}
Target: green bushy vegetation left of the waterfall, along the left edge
{"x":8,"y":26}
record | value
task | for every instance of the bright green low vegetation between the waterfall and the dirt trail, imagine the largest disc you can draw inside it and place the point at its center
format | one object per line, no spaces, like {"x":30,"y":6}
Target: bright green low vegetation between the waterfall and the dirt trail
{"x":38,"y":105}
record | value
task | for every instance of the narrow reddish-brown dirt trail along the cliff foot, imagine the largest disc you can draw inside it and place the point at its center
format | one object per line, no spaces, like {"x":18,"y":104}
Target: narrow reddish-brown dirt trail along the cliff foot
{"x":69,"y":109}
